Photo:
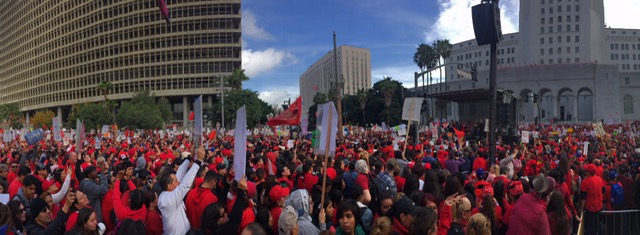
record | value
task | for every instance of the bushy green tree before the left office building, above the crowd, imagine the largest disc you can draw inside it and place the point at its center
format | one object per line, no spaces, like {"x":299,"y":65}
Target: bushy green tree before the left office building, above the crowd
{"x":142,"y":112}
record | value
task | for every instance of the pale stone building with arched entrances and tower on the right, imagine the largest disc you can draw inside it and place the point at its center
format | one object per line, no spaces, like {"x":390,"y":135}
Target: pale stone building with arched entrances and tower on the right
{"x":579,"y":69}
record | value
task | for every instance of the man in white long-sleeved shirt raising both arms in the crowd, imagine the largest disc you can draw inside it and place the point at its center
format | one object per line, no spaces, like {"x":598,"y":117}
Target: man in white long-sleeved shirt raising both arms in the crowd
{"x":175,"y":187}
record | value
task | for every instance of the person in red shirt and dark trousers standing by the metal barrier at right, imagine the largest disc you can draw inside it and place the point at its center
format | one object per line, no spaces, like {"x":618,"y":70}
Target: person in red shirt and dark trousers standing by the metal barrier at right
{"x":591,"y":198}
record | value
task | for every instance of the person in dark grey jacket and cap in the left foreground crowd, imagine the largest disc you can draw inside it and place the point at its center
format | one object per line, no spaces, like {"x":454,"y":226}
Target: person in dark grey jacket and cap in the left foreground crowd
{"x":95,"y":189}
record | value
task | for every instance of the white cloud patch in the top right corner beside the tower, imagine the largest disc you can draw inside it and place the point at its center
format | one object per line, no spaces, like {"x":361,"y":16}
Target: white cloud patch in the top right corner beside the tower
{"x":622,"y":14}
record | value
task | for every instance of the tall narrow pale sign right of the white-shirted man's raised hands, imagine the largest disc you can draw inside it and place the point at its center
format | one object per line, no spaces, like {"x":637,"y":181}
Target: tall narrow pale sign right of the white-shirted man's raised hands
{"x":240,"y":144}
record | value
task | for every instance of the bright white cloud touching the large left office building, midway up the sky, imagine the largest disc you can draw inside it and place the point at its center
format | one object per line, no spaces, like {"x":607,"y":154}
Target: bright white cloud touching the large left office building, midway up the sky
{"x":260,"y":62}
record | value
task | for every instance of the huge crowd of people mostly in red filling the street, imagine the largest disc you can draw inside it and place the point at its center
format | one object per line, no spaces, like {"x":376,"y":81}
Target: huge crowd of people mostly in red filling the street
{"x":373,"y":184}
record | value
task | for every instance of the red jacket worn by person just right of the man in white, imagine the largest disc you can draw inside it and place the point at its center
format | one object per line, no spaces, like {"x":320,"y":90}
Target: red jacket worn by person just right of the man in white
{"x":198,"y":199}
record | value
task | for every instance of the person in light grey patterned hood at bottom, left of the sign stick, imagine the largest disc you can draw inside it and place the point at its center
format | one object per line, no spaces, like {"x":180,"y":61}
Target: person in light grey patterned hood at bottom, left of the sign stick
{"x":302,"y":203}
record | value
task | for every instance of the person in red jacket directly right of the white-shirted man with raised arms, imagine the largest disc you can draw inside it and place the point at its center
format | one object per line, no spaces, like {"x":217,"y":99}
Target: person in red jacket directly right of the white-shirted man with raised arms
{"x":199,"y":198}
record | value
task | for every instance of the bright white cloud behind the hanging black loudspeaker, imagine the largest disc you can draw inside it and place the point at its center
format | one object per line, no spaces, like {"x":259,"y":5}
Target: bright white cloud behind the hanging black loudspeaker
{"x":455,"y":22}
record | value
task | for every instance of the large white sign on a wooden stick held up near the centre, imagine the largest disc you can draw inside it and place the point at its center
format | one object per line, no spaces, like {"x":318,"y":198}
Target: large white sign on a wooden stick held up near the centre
{"x":327,"y":127}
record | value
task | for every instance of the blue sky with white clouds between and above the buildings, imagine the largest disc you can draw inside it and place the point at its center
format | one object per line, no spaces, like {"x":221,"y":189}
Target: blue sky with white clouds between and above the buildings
{"x":282,"y":38}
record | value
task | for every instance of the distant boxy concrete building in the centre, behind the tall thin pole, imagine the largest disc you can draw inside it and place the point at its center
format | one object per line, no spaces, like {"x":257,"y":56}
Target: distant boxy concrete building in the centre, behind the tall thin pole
{"x":354,"y":66}
